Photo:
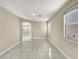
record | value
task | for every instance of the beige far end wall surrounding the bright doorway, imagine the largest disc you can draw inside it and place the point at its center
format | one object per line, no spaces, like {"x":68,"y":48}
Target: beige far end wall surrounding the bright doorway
{"x":39,"y":29}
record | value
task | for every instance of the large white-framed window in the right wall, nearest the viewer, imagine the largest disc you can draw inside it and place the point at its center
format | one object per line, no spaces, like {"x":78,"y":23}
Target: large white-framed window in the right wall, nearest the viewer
{"x":71,"y":24}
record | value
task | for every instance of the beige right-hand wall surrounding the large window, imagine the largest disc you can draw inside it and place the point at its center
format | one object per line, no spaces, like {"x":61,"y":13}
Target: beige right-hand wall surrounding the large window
{"x":57,"y":37}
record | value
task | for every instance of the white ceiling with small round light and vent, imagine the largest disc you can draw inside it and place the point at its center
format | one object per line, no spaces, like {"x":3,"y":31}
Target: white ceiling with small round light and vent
{"x":37,"y":10}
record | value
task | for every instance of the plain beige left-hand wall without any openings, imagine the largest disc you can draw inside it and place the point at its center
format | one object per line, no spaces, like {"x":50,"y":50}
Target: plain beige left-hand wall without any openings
{"x":9,"y":29}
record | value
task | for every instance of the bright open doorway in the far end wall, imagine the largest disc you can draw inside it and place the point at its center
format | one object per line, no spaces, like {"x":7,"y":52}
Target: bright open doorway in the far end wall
{"x":26,"y":31}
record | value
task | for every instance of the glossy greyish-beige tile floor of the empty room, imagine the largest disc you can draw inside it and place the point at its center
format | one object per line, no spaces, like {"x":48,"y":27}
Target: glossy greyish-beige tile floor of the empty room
{"x":35,"y":49}
